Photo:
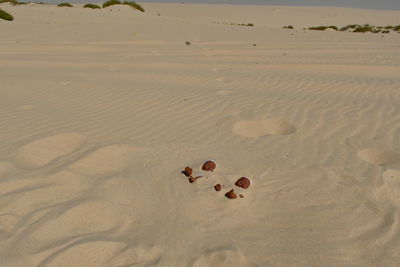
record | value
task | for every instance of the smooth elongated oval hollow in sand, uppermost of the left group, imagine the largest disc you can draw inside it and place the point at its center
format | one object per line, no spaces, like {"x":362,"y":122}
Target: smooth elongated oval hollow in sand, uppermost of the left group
{"x":43,"y":151}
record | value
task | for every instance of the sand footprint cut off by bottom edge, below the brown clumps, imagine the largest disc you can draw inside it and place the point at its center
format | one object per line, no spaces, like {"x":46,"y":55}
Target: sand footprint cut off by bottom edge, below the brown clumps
{"x":223,"y":258}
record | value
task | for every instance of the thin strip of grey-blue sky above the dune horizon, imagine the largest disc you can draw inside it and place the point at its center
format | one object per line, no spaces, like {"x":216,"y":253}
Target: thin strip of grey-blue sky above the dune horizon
{"x":371,"y":4}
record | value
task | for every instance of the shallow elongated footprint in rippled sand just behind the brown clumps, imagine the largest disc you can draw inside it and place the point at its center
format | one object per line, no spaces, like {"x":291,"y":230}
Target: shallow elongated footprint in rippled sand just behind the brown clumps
{"x":257,"y":128}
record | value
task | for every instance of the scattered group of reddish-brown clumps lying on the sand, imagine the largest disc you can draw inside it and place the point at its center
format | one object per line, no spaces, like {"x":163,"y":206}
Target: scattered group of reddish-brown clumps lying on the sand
{"x":209,"y":165}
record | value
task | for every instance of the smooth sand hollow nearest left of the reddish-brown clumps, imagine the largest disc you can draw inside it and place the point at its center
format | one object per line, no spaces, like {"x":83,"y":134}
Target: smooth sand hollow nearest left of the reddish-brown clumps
{"x":105,"y":161}
